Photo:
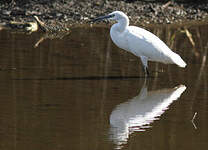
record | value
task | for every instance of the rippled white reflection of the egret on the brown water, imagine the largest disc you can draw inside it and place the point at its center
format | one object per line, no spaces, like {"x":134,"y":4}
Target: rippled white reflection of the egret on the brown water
{"x":140,"y":111}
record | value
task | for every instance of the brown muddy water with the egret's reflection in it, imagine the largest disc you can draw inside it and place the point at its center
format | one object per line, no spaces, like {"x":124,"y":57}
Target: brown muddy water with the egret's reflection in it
{"x":81,"y":92}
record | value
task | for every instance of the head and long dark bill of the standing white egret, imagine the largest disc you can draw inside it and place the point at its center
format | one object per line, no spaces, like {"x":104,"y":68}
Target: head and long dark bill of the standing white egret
{"x":116,"y":15}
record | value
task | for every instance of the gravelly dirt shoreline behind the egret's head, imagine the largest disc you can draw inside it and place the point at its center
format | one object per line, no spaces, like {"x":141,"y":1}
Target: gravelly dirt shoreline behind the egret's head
{"x":80,"y":12}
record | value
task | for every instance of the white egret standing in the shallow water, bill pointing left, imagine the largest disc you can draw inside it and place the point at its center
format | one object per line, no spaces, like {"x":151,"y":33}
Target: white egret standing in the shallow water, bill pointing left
{"x":140,"y":42}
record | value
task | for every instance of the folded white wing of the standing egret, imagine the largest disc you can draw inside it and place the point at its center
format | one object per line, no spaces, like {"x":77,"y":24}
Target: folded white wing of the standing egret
{"x":143,"y":43}
